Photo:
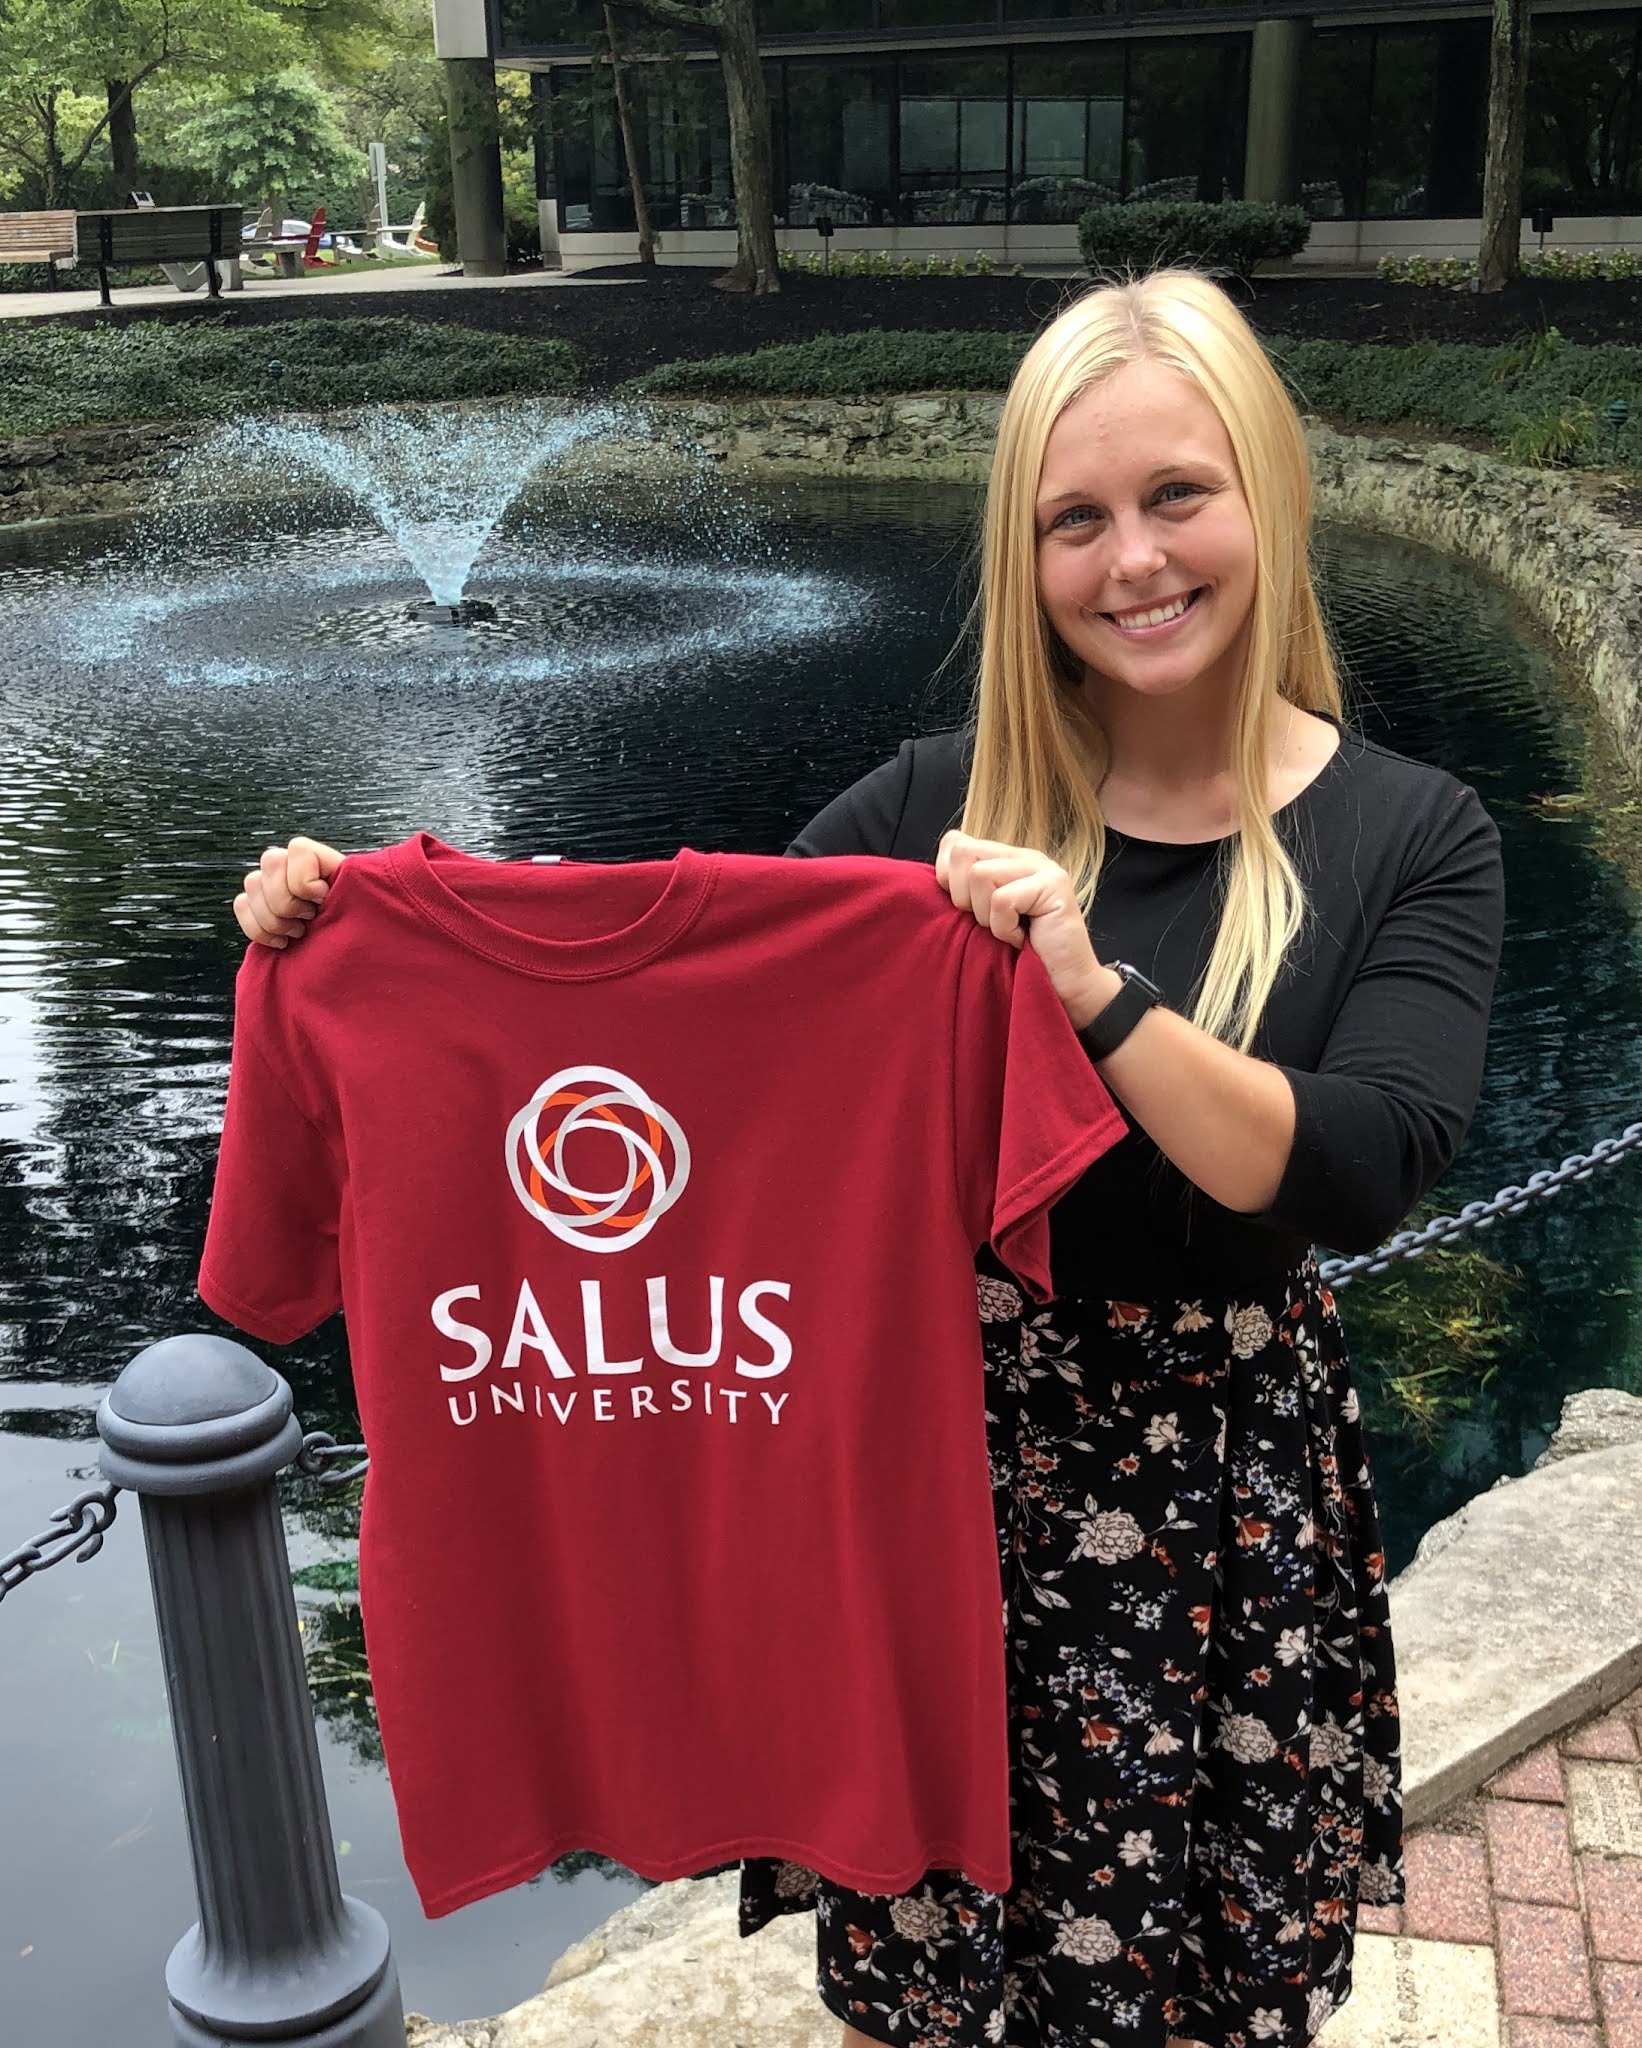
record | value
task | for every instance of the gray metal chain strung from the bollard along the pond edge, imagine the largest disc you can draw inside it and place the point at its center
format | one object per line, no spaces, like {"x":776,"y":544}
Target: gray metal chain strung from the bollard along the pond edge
{"x":79,"y":1527}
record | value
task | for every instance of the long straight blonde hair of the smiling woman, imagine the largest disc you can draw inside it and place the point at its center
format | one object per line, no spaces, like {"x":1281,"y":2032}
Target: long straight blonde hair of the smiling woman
{"x":1039,"y":753}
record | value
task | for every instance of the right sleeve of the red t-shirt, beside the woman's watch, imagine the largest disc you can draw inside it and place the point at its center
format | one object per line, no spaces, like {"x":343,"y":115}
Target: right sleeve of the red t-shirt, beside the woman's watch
{"x":1031,"y":1111}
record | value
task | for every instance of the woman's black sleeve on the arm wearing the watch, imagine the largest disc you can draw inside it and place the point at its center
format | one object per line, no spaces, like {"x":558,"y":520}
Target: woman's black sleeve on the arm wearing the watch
{"x":1401,"y":1070}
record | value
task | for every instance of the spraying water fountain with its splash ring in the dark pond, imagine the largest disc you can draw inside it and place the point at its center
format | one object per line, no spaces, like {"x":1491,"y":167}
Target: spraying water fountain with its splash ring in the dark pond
{"x":441,"y":546}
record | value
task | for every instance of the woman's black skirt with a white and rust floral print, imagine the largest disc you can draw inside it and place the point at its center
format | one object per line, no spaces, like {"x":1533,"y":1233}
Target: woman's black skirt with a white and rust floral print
{"x":1203,"y":1701}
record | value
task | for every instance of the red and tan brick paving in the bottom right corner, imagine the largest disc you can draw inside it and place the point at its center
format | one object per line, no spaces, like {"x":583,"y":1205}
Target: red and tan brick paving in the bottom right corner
{"x":1524,"y":1916}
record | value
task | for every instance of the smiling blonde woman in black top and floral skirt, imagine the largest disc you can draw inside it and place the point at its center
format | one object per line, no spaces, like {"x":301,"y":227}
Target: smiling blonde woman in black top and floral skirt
{"x":1279,"y":943}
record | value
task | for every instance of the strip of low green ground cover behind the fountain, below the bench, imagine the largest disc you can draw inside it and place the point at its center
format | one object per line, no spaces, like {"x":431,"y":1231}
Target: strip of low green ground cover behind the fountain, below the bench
{"x":54,"y":378}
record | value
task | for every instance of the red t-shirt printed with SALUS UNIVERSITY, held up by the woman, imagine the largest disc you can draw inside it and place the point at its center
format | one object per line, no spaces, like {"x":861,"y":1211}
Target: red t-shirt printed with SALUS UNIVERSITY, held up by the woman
{"x":652,"y":1197}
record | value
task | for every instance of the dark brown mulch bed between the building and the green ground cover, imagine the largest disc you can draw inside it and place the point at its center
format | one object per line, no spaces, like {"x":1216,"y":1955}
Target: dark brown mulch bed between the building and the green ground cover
{"x":677,"y":312}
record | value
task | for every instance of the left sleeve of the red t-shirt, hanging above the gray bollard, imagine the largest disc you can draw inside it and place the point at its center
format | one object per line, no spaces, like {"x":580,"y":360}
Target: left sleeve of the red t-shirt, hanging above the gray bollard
{"x":271,"y":1242}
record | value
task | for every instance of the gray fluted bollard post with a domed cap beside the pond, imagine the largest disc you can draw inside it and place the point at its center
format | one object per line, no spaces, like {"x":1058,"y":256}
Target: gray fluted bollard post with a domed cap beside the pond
{"x":198,"y":1428}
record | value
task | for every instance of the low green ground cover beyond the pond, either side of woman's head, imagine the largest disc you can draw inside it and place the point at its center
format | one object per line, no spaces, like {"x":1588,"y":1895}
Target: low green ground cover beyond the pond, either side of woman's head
{"x":1543,"y":400}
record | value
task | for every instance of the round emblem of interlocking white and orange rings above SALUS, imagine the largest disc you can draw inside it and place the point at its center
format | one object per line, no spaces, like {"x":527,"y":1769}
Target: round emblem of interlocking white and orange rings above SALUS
{"x":650,"y":1158}
